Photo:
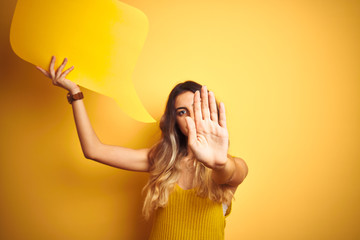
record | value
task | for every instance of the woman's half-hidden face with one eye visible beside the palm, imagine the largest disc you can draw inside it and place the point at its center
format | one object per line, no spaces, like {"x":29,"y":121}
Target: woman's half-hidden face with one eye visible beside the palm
{"x":184,"y":103}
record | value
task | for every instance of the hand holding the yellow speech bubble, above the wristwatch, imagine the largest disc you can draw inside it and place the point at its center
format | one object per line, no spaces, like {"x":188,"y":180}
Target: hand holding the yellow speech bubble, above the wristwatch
{"x":58,"y":76}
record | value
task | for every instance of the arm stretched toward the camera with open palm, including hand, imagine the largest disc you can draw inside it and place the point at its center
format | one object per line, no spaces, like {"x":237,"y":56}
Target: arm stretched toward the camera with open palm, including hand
{"x":209,"y":140}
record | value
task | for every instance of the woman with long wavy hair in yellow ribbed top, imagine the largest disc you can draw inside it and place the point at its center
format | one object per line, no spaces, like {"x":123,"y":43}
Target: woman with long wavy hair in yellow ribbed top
{"x":192,"y":178}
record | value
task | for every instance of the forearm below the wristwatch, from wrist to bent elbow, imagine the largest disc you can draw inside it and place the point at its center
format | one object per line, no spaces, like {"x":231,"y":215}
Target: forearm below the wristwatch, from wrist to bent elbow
{"x":88,"y":139}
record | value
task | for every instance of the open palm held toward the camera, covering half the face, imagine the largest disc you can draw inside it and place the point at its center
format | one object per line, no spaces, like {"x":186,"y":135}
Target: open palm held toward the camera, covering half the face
{"x":208,"y":137}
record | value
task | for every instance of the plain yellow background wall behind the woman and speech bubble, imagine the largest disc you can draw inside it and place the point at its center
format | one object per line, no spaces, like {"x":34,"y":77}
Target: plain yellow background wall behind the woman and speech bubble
{"x":288,"y":73}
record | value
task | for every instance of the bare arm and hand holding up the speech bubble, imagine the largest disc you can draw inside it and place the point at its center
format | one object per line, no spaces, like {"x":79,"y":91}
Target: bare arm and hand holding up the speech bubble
{"x":93,"y":148}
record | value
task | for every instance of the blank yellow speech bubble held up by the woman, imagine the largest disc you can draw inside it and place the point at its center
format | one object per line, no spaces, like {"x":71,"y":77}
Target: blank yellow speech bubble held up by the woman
{"x":102,"y":39}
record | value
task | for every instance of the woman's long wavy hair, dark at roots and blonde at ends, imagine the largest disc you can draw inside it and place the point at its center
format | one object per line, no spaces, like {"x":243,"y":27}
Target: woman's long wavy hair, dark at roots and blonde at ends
{"x":165,"y":156}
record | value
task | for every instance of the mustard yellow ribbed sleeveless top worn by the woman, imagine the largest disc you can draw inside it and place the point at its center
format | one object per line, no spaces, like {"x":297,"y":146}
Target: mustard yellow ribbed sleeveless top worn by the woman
{"x":188,"y":216}
